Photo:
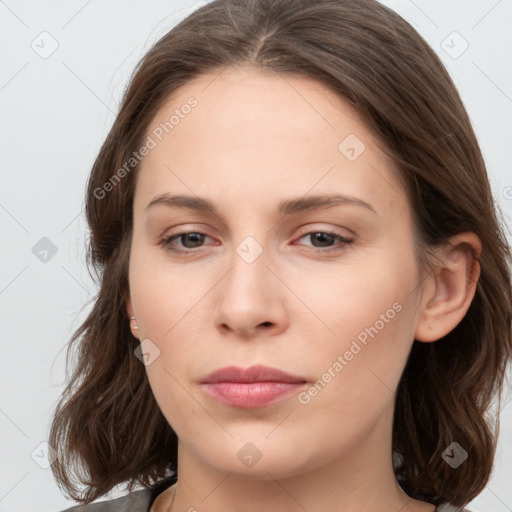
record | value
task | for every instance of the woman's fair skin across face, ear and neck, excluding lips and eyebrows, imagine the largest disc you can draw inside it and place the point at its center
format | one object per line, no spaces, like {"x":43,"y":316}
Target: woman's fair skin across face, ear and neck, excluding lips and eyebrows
{"x":256,"y":139}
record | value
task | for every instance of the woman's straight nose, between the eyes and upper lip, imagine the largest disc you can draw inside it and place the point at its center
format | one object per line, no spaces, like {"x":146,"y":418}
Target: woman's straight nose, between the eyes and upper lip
{"x":251,"y":300}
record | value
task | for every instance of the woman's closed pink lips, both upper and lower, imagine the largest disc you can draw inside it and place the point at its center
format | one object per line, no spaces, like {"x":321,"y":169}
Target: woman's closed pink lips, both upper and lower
{"x":256,"y":386}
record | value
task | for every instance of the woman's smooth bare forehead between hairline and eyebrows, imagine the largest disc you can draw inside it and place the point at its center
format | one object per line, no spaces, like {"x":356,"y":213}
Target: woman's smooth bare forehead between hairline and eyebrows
{"x":253,"y":135}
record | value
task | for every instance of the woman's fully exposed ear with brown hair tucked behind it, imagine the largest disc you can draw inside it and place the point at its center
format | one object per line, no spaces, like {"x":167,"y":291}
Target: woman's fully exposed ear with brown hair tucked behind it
{"x":452,"y":287}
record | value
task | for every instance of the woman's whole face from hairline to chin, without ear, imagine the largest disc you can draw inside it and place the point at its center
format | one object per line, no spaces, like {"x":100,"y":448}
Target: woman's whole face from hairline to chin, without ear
{"x":301,"y":259}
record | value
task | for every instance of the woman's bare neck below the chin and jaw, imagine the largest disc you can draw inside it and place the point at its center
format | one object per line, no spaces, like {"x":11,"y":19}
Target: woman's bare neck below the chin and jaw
{"x":361,"y":479}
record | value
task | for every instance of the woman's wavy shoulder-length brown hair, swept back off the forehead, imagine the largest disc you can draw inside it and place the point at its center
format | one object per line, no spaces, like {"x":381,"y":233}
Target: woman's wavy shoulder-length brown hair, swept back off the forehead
{"x":108,"y":428}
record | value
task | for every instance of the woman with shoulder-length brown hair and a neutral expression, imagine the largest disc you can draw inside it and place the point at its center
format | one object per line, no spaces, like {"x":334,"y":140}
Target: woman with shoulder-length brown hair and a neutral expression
{"x":304,"y":297}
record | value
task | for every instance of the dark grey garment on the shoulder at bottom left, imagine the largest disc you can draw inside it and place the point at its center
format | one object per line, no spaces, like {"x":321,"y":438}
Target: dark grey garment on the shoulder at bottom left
{"x":136,"y":501}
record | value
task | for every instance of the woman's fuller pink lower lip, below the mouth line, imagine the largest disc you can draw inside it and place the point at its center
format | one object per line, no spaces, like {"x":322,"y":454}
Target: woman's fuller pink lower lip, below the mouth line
{"x":251,"y":394}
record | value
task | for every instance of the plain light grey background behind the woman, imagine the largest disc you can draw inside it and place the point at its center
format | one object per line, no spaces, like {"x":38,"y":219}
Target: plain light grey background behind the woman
{"x":55,"y":112}
